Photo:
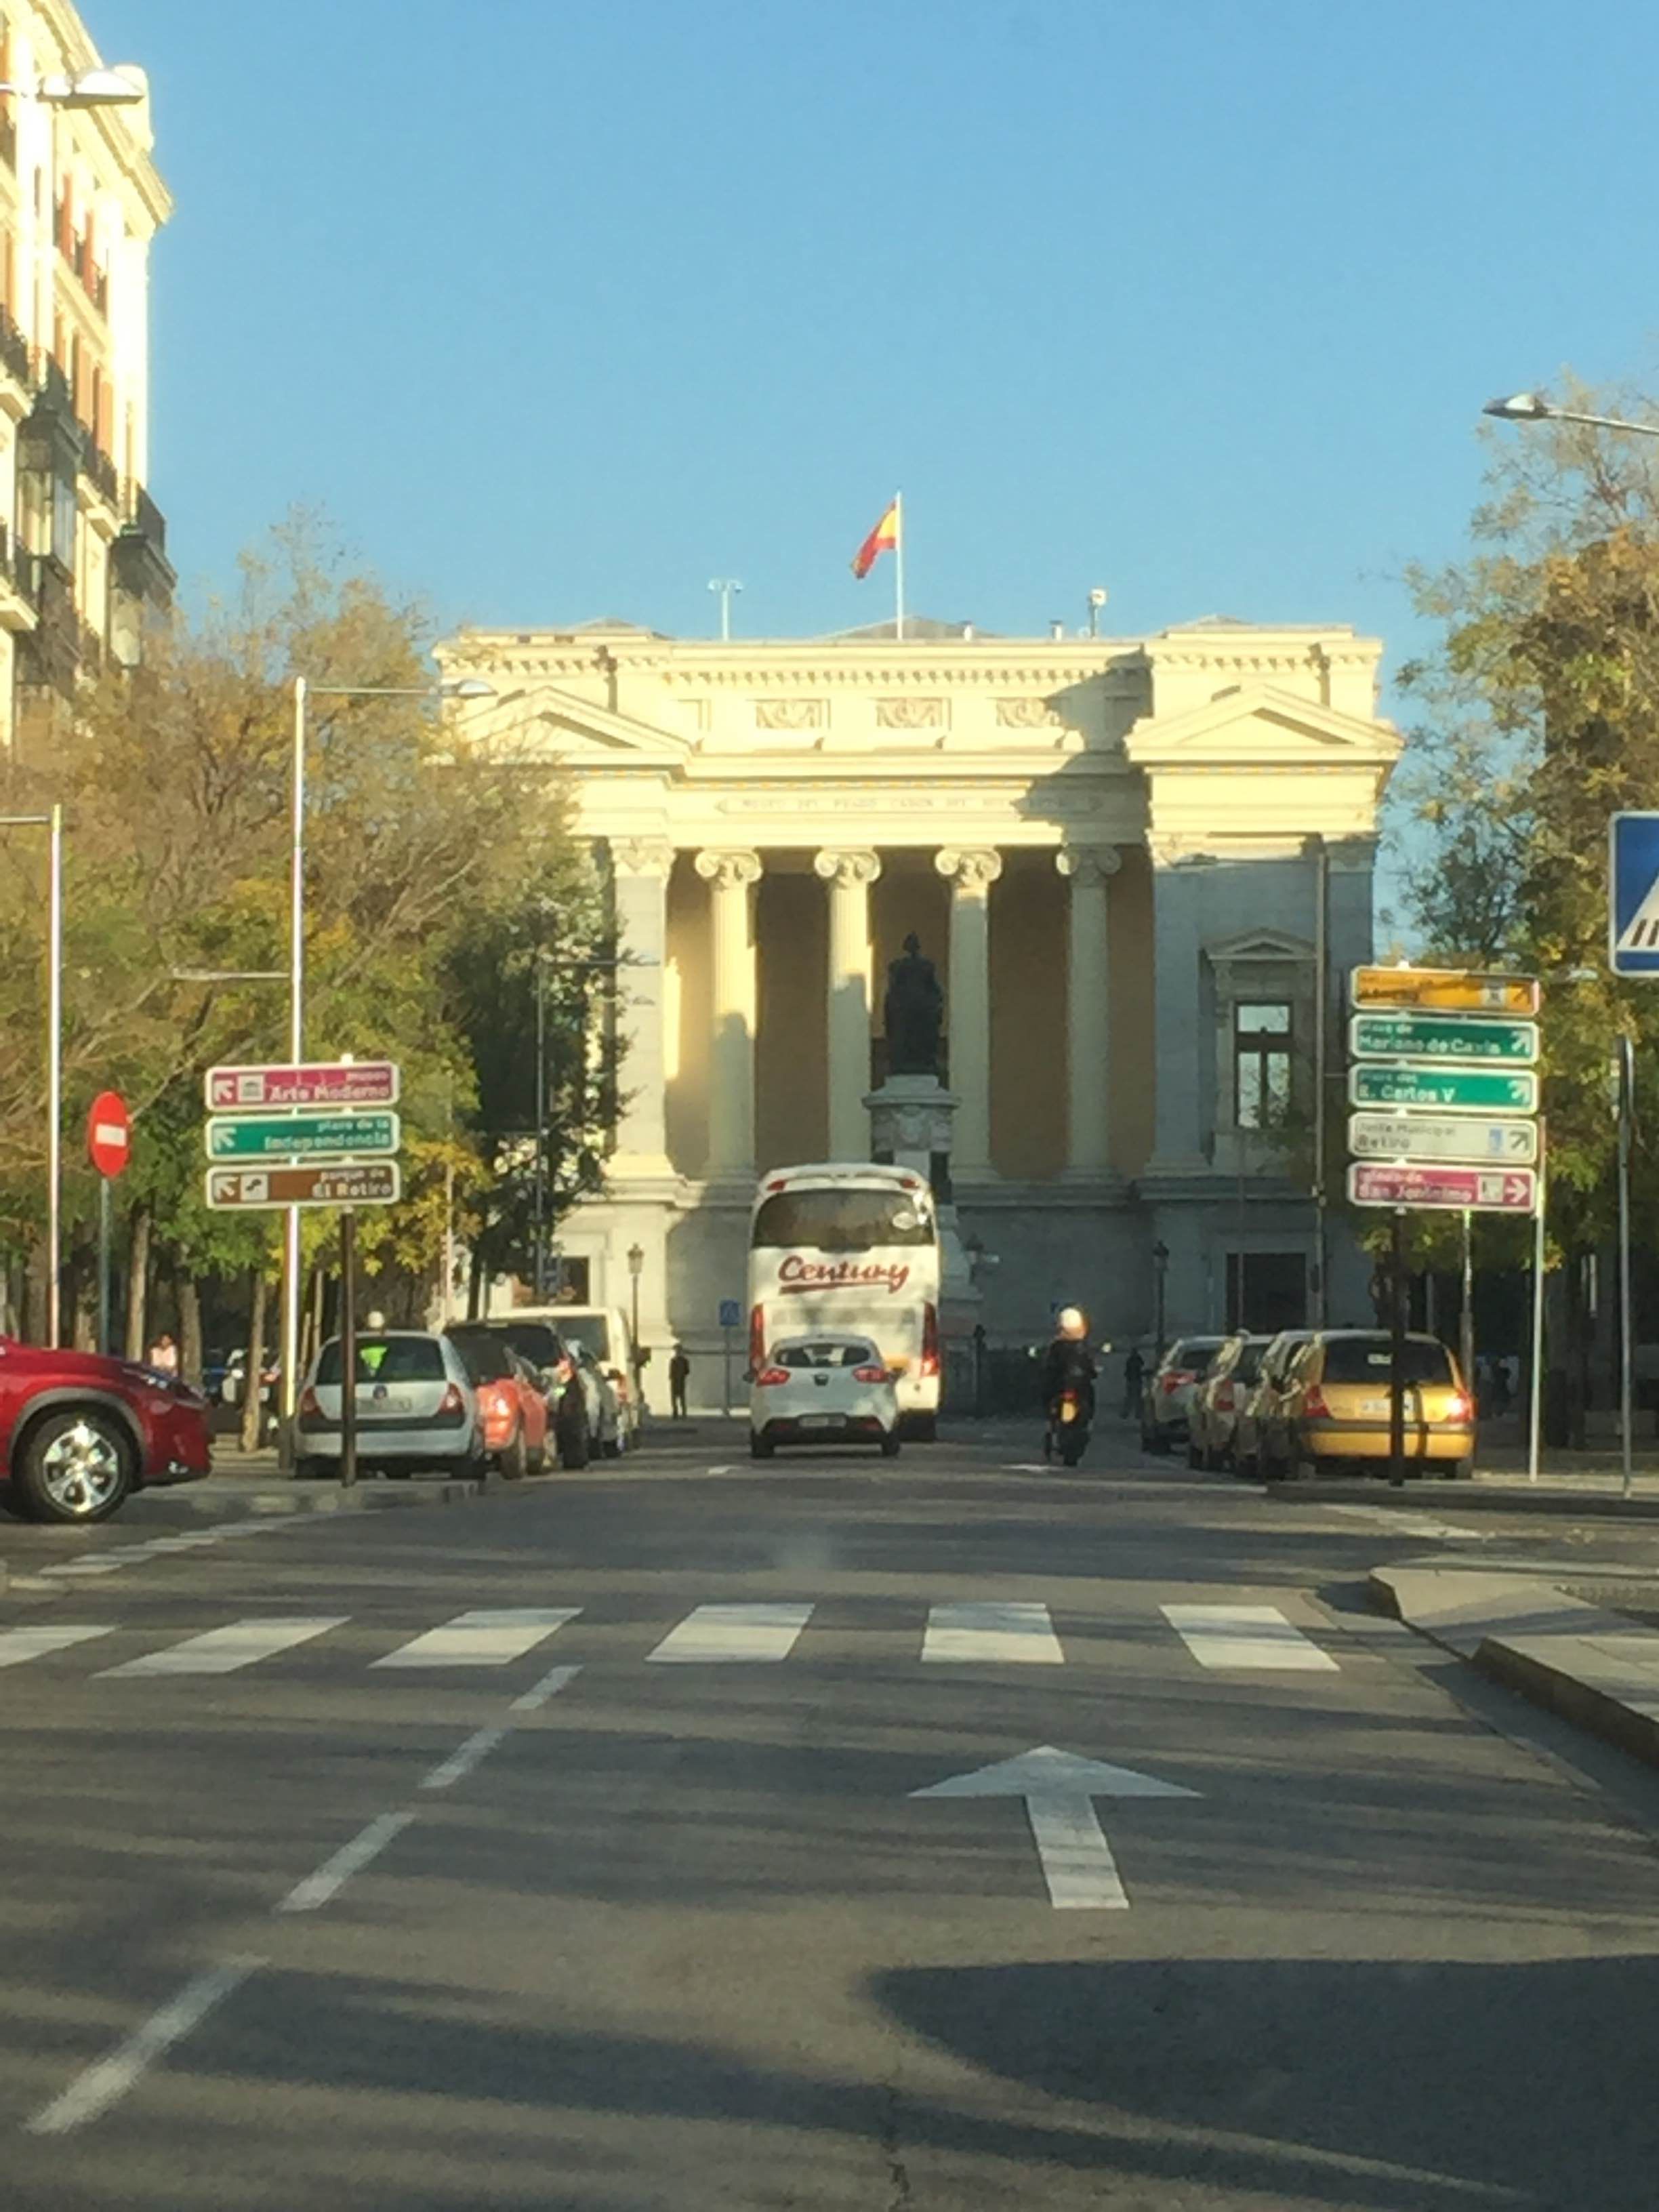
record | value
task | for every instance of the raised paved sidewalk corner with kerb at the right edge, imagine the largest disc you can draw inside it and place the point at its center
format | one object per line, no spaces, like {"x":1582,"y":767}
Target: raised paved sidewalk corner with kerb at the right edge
{"x":1558,"y":1651}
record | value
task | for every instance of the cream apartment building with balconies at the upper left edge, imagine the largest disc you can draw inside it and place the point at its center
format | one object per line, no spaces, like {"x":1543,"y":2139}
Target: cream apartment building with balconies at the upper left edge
{"x":83,"y":547}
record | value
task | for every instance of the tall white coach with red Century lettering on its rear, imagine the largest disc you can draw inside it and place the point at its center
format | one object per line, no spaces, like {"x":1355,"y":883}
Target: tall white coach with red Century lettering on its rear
{"x":848,"y":1246}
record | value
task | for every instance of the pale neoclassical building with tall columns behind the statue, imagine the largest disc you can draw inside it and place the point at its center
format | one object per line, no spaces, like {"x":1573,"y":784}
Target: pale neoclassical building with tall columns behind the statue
{"x":1116,"y":853}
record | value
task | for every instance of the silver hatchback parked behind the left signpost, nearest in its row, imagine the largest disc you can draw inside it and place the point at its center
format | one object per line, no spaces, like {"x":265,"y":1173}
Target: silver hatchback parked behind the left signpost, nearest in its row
{"x":415,"y":1408}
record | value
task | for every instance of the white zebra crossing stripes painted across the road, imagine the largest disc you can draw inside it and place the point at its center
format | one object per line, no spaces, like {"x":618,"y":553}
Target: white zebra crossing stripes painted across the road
{"x":1213,"y":1638}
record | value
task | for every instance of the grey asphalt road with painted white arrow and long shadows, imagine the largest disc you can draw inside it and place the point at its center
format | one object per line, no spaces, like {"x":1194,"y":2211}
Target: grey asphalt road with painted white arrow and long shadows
{"x":534,"y":1919}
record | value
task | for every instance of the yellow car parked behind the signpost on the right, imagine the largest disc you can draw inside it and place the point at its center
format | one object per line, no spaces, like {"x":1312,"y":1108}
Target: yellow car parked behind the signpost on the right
{"x":1335,"y":1408}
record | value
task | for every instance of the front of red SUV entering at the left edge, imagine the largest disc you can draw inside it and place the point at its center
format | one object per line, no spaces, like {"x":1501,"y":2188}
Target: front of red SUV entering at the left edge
{"x":81,"y":1432}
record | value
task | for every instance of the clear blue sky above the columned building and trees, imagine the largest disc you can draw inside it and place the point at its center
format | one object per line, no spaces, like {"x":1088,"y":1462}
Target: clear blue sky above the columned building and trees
{"x":565,"y":309}
